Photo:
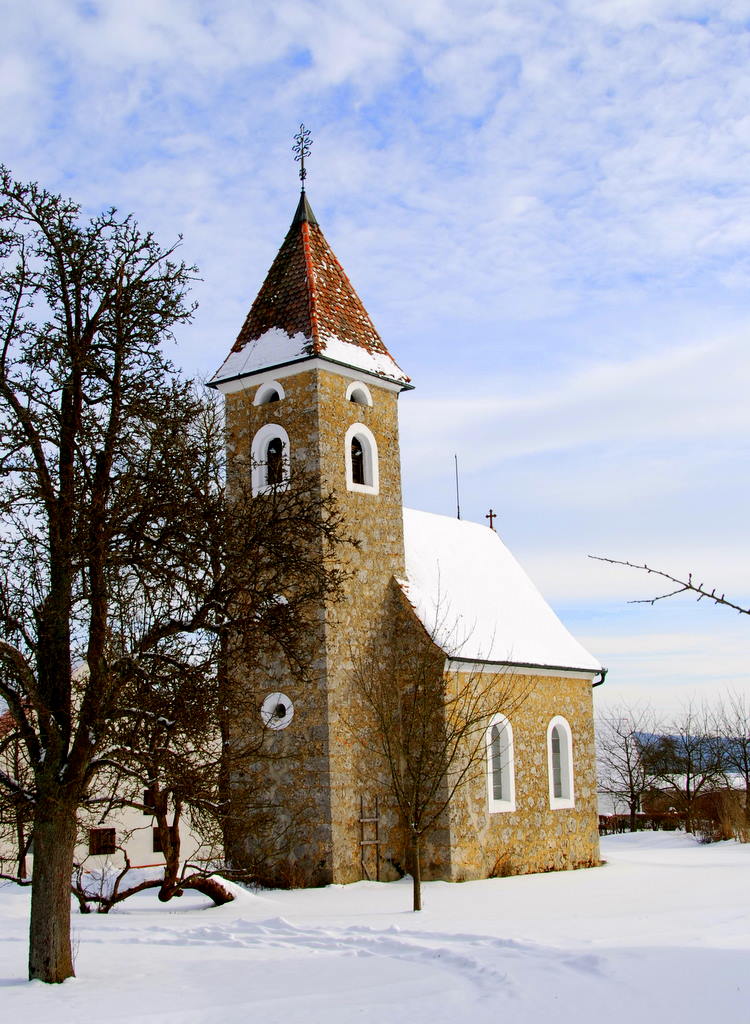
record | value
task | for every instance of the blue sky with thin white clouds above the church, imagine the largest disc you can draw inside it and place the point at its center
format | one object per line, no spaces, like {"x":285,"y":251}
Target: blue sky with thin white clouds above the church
{"x":546,"y":208}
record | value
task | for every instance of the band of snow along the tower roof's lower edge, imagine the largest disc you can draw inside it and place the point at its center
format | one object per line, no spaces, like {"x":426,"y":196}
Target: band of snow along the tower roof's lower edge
{"x":276,"y":348}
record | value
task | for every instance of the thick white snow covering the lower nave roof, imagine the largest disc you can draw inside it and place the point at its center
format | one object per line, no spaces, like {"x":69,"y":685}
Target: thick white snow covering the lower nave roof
{"x":471,"y":594}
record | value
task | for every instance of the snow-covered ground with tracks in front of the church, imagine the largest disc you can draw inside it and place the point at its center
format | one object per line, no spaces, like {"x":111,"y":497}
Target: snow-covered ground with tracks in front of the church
{"x":660,"y":933}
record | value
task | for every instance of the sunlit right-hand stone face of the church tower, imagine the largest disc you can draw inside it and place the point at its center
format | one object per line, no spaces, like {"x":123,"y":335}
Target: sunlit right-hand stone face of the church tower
{"x":377,"y":524}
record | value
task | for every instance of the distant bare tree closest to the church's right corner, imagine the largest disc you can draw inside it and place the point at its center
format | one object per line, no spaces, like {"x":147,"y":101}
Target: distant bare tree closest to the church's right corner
{"x":623,"y":738}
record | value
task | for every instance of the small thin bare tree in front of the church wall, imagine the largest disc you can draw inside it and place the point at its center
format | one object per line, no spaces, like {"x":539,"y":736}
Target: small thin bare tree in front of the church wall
{"x":426,"y":729}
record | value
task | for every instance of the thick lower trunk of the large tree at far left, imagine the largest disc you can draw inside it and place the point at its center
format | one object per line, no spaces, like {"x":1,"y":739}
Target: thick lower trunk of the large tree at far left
{"x":51,"y":957}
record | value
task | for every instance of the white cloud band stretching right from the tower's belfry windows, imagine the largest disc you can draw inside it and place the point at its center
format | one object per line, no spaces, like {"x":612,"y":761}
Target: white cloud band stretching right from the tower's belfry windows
{"x":692,"y":393}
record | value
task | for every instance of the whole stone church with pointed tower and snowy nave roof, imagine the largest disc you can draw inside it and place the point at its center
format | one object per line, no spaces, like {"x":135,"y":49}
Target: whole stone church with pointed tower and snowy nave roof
{"x":310,"y":386}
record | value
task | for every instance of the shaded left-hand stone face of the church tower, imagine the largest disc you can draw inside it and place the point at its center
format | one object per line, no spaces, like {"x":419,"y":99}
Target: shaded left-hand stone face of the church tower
{"x":281,"y":813}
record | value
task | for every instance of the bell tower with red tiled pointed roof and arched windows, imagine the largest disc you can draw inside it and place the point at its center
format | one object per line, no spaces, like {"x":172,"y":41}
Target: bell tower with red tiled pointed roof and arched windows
{"x":311,"y":388}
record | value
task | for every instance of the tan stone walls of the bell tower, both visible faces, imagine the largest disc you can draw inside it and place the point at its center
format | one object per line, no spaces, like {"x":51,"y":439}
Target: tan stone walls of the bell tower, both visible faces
{"x":314,"y":786}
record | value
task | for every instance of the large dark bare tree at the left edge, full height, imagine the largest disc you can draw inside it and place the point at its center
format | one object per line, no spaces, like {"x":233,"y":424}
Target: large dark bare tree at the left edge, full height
{"x":90,"y":414}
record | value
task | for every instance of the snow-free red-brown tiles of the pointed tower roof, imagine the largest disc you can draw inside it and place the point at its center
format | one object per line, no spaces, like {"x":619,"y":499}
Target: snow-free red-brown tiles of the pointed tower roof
{"x":307,"y":292}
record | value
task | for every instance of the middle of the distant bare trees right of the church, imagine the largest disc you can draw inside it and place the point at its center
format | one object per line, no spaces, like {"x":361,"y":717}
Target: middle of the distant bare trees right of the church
{"x":688,"y":761}
